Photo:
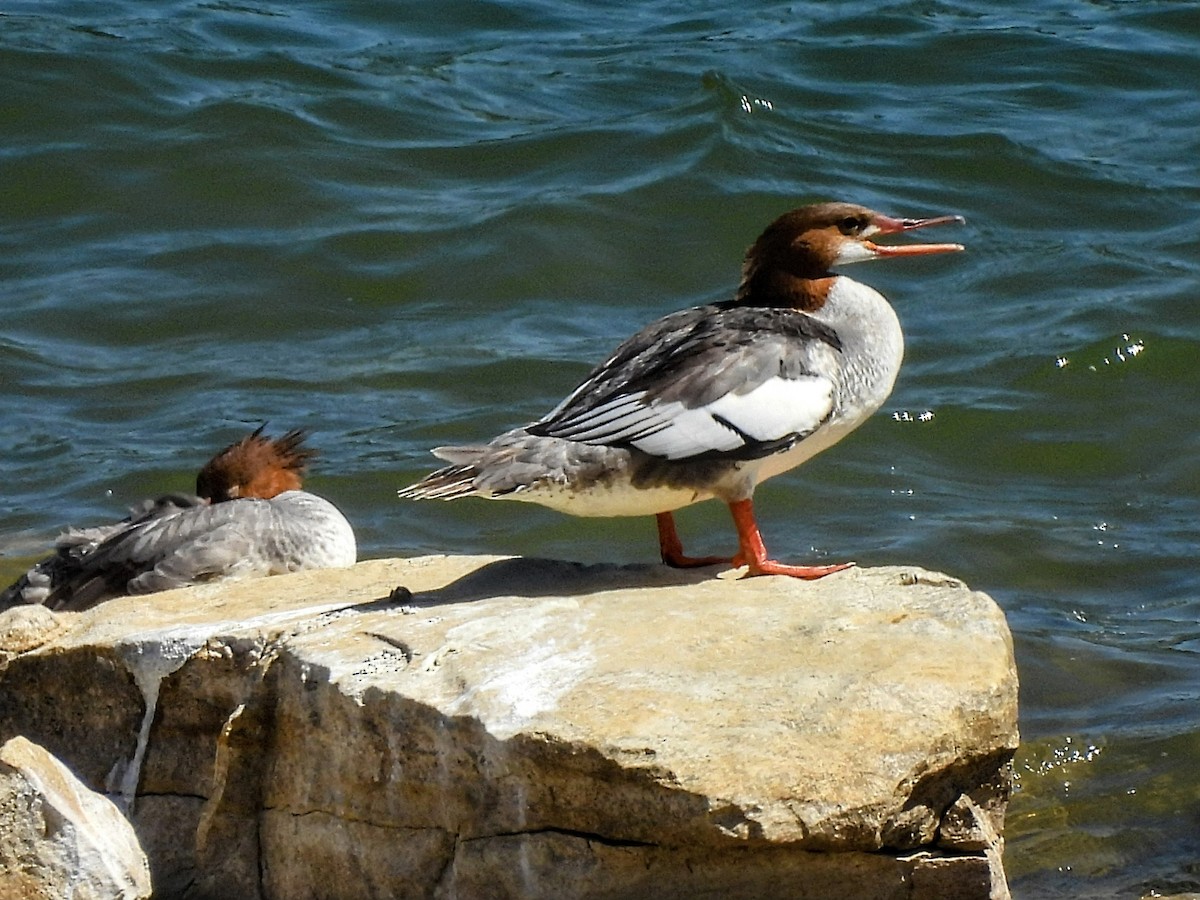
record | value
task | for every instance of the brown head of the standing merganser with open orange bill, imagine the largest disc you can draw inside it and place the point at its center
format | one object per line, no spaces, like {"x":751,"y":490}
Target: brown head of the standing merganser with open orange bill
{"x":791,"y":262}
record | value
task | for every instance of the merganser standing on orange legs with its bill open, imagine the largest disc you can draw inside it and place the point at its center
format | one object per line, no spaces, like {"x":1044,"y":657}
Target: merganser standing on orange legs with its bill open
{"x":709,"y":403}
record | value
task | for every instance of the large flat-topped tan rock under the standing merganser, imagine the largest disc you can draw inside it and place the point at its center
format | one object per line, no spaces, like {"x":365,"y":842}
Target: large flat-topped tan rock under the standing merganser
{"x":518,"y":728}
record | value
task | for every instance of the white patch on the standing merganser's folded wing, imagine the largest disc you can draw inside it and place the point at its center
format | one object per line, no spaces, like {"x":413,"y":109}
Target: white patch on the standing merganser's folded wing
{"x":773,"y":411}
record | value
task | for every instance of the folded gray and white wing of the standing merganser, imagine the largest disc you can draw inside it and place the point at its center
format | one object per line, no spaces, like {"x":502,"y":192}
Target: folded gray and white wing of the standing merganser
{"x":713,"y":381}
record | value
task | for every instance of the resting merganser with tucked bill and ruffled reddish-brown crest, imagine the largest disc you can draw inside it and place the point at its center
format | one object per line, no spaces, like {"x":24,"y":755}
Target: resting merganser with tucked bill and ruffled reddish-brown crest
{"x":249,"y":519}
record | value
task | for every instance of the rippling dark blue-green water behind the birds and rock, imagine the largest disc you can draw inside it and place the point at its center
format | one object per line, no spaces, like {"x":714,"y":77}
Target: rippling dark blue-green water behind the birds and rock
{"x":403,"y":225}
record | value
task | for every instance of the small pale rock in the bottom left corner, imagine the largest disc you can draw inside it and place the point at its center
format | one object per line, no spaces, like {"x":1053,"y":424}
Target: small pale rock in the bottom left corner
{"x":58,"y":839}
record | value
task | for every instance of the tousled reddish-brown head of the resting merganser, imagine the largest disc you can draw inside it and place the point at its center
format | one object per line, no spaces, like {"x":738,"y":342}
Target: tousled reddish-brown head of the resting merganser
{"x":256,"y":466}
